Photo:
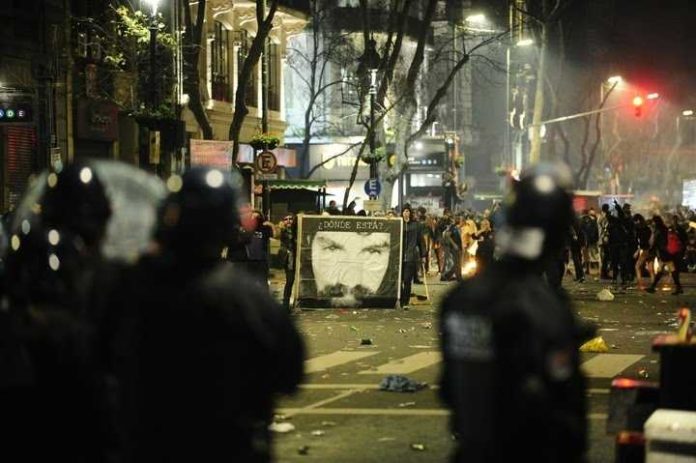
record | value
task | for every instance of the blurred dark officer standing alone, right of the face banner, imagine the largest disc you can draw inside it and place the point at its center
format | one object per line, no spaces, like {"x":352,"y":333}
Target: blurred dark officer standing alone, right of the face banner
{"x":510,"y":342}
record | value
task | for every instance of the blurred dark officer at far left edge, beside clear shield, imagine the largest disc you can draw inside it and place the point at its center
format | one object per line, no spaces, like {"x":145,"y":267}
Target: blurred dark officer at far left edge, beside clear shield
{"x":54,"y":391}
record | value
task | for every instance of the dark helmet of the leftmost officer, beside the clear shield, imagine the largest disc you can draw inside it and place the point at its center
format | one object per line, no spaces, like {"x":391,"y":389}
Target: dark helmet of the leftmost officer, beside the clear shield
{"x":75,"y":200}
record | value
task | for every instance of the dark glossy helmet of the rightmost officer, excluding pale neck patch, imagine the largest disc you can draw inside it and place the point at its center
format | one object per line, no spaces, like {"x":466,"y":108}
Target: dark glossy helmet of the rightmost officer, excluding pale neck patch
{"x":541,"y":202}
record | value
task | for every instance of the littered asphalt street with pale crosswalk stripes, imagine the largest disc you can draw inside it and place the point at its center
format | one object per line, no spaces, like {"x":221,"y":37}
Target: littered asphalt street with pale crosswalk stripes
{"x":340,"y":415}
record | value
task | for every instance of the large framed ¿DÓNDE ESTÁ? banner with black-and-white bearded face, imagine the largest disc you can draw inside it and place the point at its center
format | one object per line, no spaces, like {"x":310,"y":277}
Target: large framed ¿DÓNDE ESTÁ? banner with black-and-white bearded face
{"x":349,"y":262}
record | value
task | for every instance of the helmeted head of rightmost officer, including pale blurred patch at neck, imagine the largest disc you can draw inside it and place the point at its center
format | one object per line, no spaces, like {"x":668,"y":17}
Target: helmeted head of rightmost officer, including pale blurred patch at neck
{"x":538,"y":212}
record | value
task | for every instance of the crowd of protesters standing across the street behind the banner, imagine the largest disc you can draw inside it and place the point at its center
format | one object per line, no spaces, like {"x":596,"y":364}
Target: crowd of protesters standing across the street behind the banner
{"x":613,"y":244}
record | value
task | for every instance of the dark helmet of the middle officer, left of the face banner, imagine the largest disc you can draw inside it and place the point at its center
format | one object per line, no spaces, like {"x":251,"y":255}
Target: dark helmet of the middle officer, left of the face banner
{"x":200,"y":213}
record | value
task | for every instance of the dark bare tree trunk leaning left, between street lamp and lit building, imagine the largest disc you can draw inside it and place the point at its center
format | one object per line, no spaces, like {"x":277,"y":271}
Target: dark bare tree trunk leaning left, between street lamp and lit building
{"x":192,"y":46}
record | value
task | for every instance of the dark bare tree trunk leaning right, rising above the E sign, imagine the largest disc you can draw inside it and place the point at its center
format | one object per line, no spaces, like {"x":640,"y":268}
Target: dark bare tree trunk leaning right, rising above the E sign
{"x":264,"y":21}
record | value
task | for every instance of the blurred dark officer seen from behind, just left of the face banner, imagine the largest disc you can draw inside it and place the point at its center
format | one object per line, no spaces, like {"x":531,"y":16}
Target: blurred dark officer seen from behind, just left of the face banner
{"x":202,"y":350}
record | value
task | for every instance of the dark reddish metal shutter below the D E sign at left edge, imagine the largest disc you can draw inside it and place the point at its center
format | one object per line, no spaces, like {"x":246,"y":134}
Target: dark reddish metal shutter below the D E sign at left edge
{"x":20,"y":147}
